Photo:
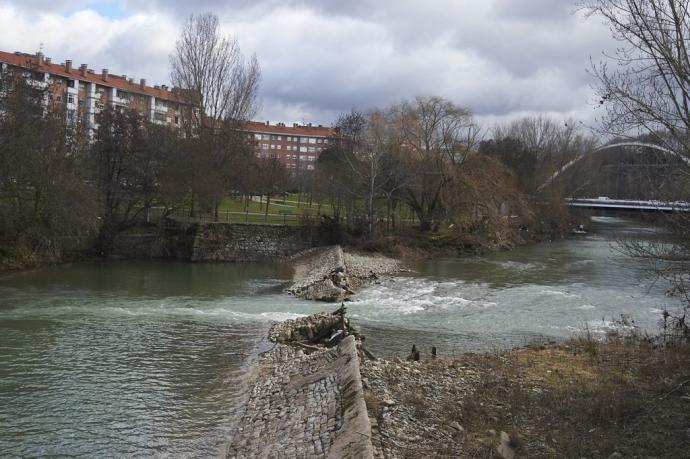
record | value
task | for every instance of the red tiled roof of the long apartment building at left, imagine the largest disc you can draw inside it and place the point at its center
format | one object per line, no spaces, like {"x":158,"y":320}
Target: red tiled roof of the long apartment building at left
{"x":114,"y":81}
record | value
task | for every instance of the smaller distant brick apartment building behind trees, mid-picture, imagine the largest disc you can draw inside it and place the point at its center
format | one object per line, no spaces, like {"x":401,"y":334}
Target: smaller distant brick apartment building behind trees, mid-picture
{"x":297,"y":146}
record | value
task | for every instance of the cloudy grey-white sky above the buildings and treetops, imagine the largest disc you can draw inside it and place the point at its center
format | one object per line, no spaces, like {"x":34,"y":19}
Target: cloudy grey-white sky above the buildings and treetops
{"x":501,"y":58}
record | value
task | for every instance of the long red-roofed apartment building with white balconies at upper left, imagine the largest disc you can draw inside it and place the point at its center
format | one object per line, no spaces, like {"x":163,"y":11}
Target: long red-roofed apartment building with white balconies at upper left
{"x":83,"y":93}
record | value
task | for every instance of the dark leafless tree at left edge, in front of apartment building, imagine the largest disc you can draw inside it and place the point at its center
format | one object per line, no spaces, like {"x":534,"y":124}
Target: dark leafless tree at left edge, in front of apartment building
{"x":44,"y":199}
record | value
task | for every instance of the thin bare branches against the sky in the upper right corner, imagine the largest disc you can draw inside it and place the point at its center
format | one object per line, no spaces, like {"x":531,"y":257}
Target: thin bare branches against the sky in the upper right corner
{"x":645,"y":84}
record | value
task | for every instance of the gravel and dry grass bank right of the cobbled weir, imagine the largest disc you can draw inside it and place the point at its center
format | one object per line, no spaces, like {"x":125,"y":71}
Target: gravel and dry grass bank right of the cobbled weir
{"x":624,"y":397}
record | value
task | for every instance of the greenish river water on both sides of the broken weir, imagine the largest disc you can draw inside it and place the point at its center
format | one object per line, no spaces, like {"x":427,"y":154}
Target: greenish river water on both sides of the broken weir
{"x":153,"y":358}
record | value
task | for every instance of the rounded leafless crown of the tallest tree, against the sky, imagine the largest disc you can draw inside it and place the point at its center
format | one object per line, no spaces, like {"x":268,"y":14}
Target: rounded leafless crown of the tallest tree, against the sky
{"x":212,"y":72}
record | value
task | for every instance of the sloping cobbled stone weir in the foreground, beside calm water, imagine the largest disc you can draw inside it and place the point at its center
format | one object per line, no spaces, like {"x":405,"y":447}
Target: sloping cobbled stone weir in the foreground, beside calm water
{"x":305,"y":406}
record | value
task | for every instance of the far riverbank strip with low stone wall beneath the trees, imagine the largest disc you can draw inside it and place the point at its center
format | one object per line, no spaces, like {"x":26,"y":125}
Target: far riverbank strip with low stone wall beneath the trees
{"x":241,"y":242}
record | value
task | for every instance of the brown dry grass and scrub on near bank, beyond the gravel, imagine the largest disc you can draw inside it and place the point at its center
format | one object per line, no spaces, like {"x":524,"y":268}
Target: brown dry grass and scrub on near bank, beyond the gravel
{"x":584,"y":399}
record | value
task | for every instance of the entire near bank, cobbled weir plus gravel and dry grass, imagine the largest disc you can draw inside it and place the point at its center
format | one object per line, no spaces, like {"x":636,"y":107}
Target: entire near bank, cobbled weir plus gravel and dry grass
{"x":625,"y":396}
